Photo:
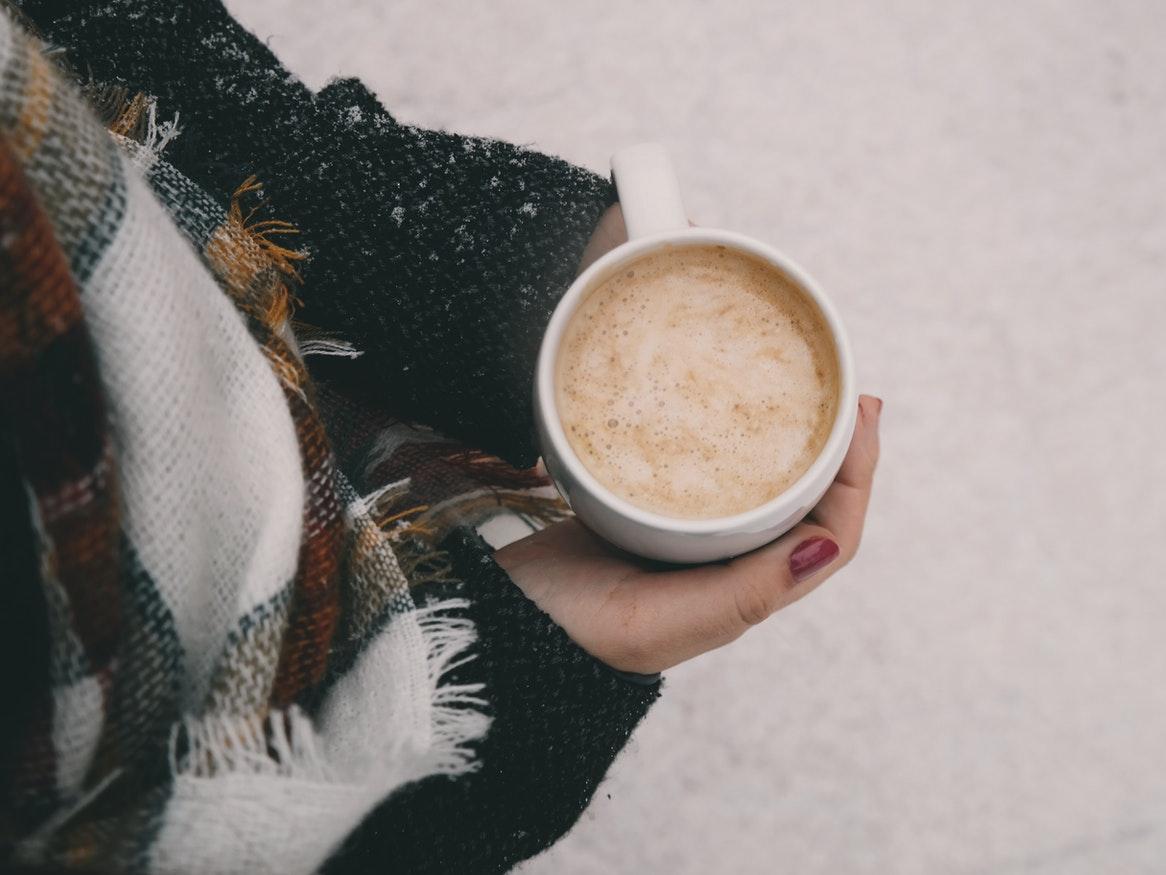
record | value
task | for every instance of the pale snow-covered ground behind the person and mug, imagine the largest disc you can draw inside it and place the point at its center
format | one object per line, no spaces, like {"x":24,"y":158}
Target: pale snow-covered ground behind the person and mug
{"x":982,"y":190}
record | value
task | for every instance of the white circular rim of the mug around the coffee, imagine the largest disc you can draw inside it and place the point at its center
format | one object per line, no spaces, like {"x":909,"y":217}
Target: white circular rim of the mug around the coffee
{"x":755,"y":519}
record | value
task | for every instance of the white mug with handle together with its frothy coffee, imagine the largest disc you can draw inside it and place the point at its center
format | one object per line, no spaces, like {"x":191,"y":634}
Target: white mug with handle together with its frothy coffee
{"x":696,"y":390}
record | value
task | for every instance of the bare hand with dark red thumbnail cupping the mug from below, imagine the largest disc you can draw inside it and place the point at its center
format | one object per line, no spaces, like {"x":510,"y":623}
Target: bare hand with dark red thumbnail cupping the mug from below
{"x":638,"y":617}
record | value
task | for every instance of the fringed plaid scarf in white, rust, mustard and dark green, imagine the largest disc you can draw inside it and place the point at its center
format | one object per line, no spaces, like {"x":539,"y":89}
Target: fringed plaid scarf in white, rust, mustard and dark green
{"x":238,"y":669}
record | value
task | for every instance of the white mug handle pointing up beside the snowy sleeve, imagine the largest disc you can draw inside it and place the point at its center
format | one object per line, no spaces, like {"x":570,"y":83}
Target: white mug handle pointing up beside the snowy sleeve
{"x":649,"y":191}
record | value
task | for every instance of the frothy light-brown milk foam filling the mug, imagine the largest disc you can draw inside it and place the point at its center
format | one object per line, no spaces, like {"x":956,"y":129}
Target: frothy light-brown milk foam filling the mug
{"x":698,"y":382}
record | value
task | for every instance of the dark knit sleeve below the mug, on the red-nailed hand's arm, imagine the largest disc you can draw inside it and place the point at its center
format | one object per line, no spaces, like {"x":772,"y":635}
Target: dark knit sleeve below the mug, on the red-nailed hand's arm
{"x":560,"y":718}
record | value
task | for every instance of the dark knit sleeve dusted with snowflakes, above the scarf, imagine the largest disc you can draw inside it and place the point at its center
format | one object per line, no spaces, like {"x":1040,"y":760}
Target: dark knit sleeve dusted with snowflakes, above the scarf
{"x":441,"y":257}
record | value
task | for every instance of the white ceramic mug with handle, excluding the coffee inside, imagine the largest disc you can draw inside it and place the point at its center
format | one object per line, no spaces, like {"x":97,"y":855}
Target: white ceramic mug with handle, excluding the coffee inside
{"x":656,"y":218}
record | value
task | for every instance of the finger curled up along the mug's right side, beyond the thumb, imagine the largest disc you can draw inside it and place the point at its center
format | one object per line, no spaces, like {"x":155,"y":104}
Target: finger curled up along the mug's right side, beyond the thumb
{"x":844,"y":508}
